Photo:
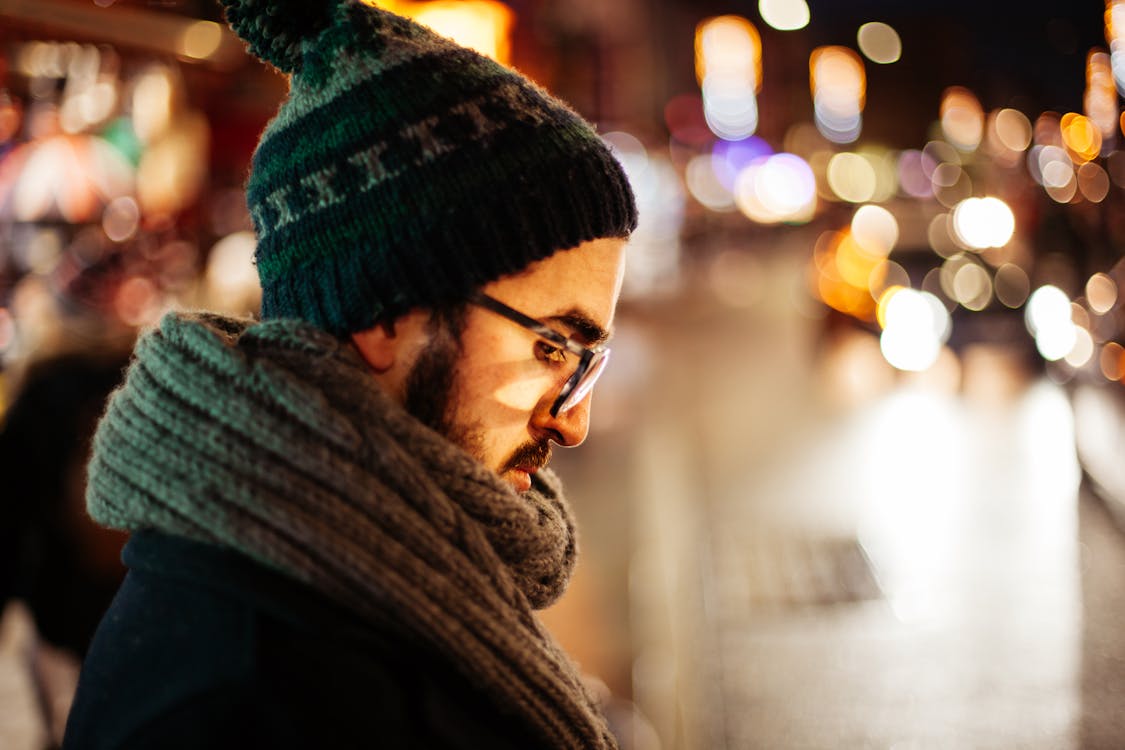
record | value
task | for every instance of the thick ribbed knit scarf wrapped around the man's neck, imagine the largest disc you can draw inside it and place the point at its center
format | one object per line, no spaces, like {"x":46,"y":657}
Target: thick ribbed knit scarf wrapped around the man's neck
{"x":273,"y":439}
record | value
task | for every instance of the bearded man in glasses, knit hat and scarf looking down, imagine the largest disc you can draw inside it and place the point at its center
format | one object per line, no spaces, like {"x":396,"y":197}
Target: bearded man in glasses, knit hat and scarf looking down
{"x":343,"y":517}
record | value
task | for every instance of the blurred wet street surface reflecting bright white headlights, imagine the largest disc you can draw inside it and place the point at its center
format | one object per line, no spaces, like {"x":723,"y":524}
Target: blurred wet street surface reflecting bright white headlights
{"x":829,"y":556}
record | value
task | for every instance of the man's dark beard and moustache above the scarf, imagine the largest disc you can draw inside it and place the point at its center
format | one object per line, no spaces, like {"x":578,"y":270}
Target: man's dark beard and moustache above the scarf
{"x":431,"y":399}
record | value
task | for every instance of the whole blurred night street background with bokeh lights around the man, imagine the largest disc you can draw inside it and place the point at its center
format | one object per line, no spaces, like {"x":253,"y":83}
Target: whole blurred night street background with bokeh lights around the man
{"x":854,"y":478}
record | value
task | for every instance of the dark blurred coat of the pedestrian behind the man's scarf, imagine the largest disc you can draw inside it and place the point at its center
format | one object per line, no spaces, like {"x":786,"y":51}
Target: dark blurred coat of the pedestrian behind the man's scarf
{"x":60,"y":564}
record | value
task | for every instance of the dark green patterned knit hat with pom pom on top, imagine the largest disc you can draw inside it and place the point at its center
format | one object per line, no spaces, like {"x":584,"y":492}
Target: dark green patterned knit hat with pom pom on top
{"x":406,"y":171}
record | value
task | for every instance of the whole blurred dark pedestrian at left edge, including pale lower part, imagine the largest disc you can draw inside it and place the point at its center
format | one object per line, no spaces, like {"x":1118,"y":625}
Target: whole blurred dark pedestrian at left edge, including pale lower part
{"x":59,"y":571}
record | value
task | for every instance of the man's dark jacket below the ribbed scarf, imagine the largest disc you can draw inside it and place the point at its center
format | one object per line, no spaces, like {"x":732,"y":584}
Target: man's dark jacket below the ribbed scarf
{"x":204,"y":648}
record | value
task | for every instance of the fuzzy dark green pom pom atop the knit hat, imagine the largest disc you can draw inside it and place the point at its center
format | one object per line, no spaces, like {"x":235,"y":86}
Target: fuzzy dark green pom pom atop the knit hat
{"x":275,"y":30}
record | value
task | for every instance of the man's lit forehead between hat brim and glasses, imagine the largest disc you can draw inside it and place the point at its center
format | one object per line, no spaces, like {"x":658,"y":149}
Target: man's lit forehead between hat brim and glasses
{"x":584,"y":279}
